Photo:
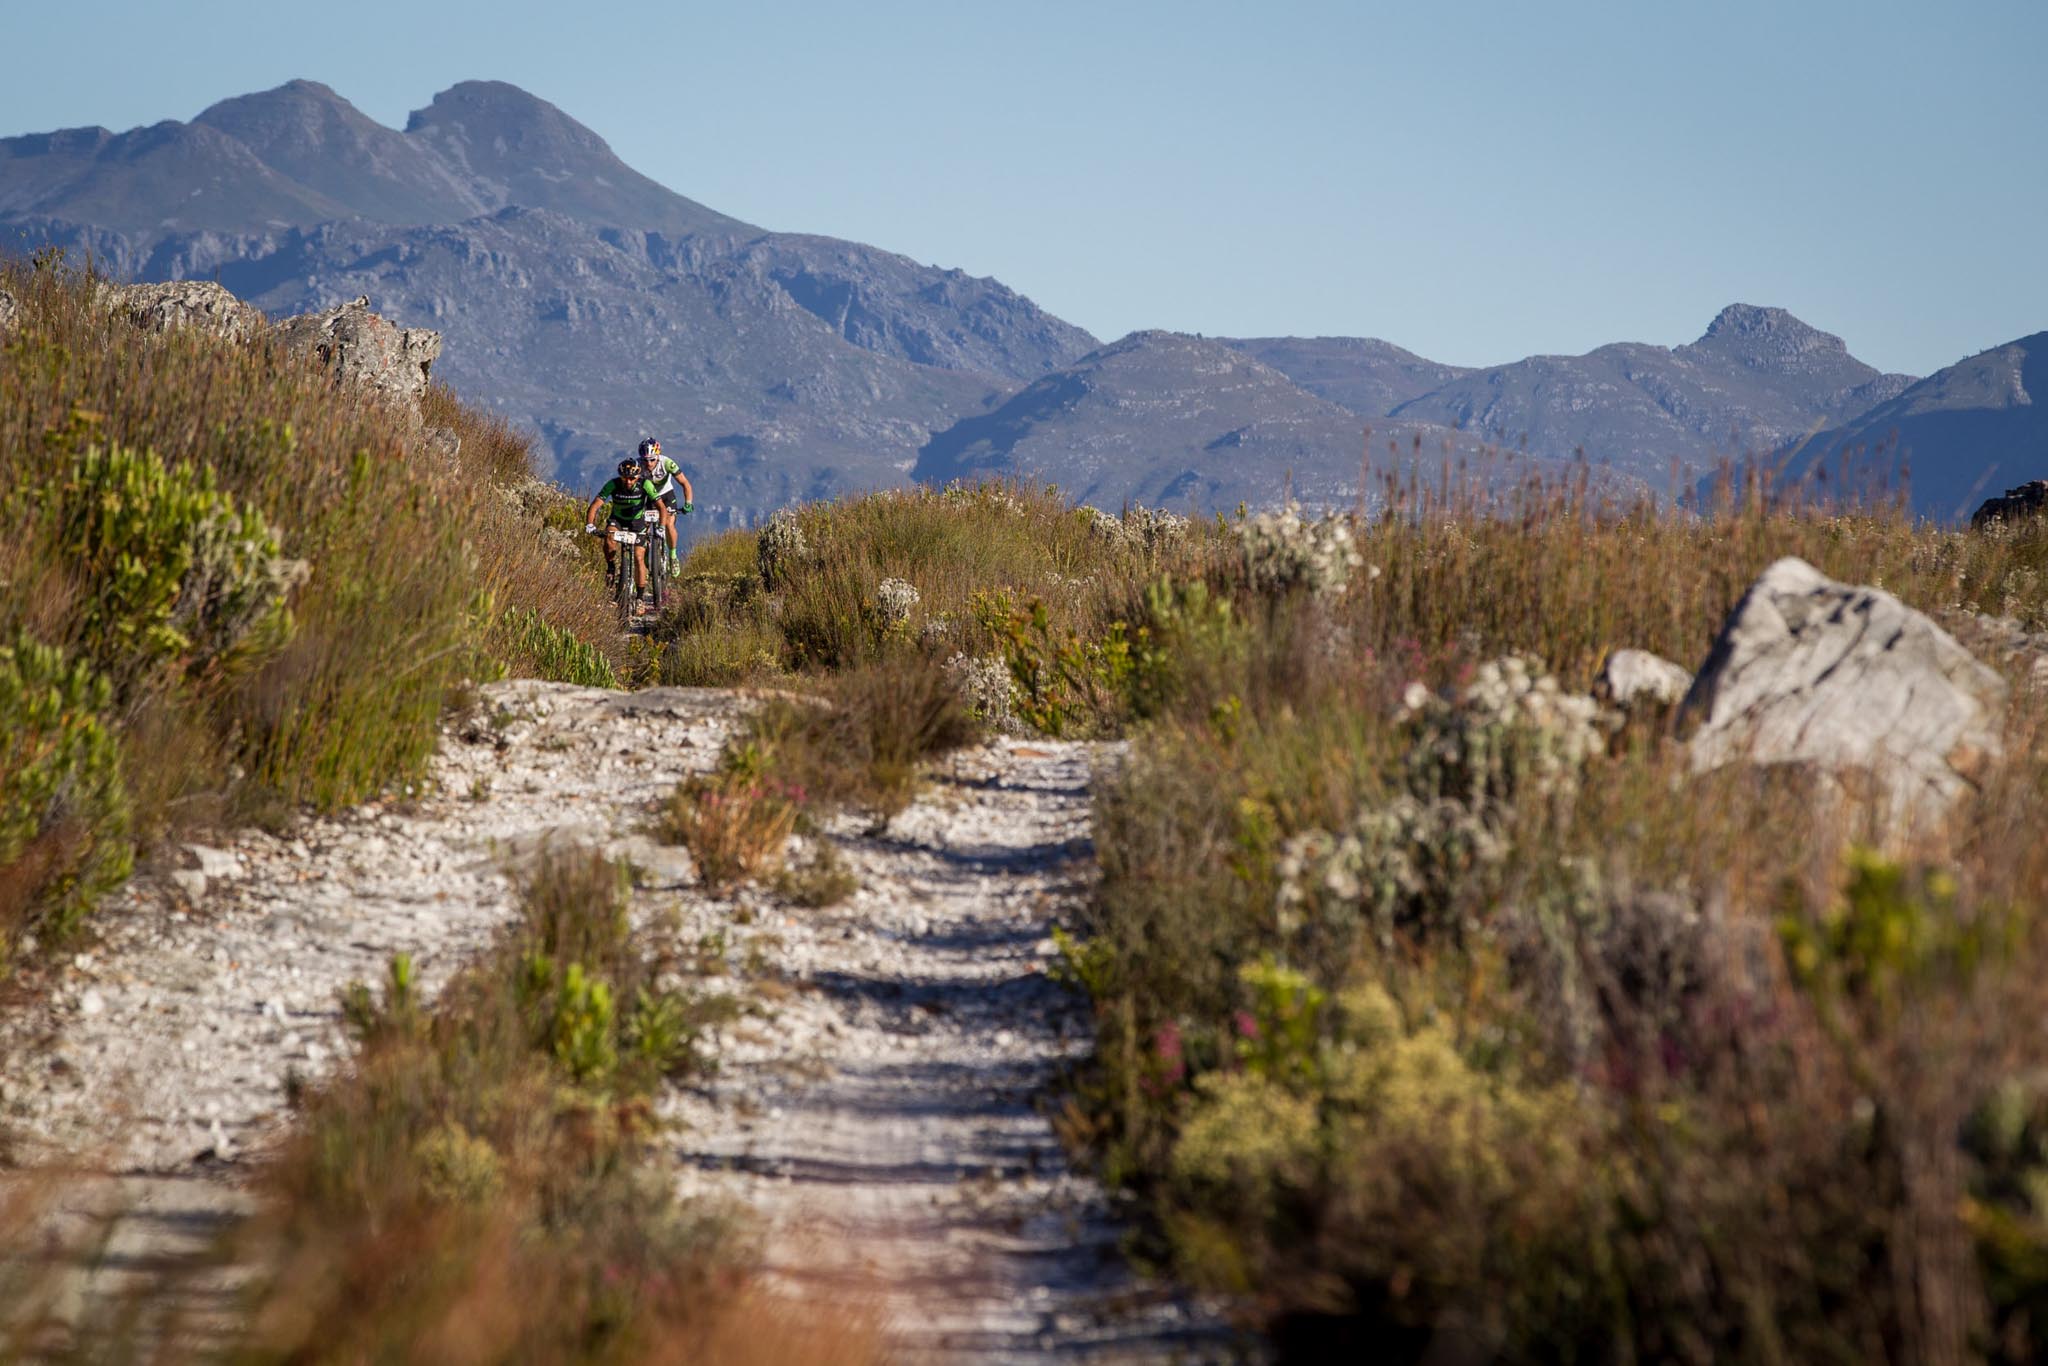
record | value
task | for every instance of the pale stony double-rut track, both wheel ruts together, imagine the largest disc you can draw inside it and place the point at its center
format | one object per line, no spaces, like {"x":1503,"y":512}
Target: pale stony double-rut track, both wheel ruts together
{"x":882,"y":1111}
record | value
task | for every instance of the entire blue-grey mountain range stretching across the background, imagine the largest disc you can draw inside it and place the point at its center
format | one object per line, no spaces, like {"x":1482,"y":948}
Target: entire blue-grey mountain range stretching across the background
{"x":599,"y":306}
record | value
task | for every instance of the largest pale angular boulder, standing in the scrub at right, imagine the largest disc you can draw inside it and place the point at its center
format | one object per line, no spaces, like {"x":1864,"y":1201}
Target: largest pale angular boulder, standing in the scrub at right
{"x":1846,"y":681}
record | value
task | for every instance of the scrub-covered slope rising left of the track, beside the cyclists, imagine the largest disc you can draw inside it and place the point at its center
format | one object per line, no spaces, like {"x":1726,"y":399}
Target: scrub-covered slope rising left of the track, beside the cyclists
{"x":228,"y":589}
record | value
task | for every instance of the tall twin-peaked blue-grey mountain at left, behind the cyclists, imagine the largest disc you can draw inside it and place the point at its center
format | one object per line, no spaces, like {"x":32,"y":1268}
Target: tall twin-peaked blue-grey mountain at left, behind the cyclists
{"x":577,"y":294}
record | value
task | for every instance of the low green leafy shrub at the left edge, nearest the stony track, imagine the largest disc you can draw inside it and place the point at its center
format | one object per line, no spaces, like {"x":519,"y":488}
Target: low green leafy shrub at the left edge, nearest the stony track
{"x":65,"y":818}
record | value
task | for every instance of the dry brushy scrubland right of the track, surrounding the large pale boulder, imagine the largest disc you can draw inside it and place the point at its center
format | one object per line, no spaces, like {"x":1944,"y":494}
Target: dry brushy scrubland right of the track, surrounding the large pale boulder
{"x":1459,"y":1021}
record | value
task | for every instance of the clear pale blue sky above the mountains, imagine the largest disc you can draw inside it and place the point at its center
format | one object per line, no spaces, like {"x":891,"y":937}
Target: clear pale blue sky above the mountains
{"x":1471,"y":181}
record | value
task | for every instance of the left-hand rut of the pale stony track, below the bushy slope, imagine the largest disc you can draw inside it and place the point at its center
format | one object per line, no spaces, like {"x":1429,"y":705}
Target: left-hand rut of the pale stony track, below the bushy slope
{"x":173,"y":1039}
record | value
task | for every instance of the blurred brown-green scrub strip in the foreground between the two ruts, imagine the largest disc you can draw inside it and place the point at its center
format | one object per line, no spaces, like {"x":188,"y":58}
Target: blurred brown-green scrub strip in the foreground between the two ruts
{"x":484,"y":1175}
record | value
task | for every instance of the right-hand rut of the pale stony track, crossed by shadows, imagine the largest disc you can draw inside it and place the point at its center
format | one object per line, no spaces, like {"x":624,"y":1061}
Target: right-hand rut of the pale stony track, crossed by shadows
{"x":888,"y":1121}
